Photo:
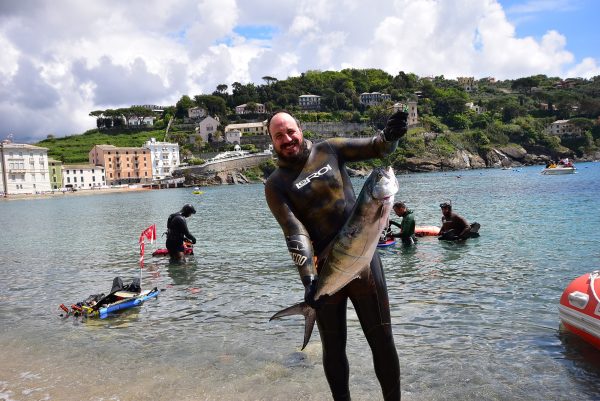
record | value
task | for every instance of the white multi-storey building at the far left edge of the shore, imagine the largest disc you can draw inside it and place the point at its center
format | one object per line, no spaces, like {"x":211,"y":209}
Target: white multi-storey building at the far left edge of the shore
{"x":23,"y":169}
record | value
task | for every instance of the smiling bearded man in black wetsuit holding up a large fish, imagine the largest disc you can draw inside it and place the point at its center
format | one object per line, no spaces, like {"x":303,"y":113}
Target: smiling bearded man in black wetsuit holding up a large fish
{"x":311,"y":196}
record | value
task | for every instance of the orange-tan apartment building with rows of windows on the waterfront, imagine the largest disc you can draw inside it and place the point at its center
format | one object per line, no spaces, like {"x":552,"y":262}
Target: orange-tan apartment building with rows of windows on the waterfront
{"x":126,"y":165}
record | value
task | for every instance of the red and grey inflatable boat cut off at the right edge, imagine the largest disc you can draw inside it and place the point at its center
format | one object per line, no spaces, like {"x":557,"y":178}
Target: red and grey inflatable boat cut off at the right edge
{"x":579,"y":309}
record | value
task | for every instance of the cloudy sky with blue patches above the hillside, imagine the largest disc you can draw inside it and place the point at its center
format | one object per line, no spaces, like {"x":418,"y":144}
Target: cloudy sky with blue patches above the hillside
{"x":62,"y":59}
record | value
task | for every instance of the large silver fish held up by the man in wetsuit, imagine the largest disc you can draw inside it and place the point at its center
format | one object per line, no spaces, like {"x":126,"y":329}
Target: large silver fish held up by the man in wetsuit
{"x":353,"y":247}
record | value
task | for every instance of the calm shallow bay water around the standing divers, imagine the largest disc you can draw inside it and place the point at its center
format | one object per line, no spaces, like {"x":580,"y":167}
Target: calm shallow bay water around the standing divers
{"x":473,"y":321}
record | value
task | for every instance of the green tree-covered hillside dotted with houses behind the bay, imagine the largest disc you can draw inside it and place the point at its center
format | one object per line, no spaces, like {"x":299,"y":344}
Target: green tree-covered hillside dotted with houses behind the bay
{"x":515,"y":112}
